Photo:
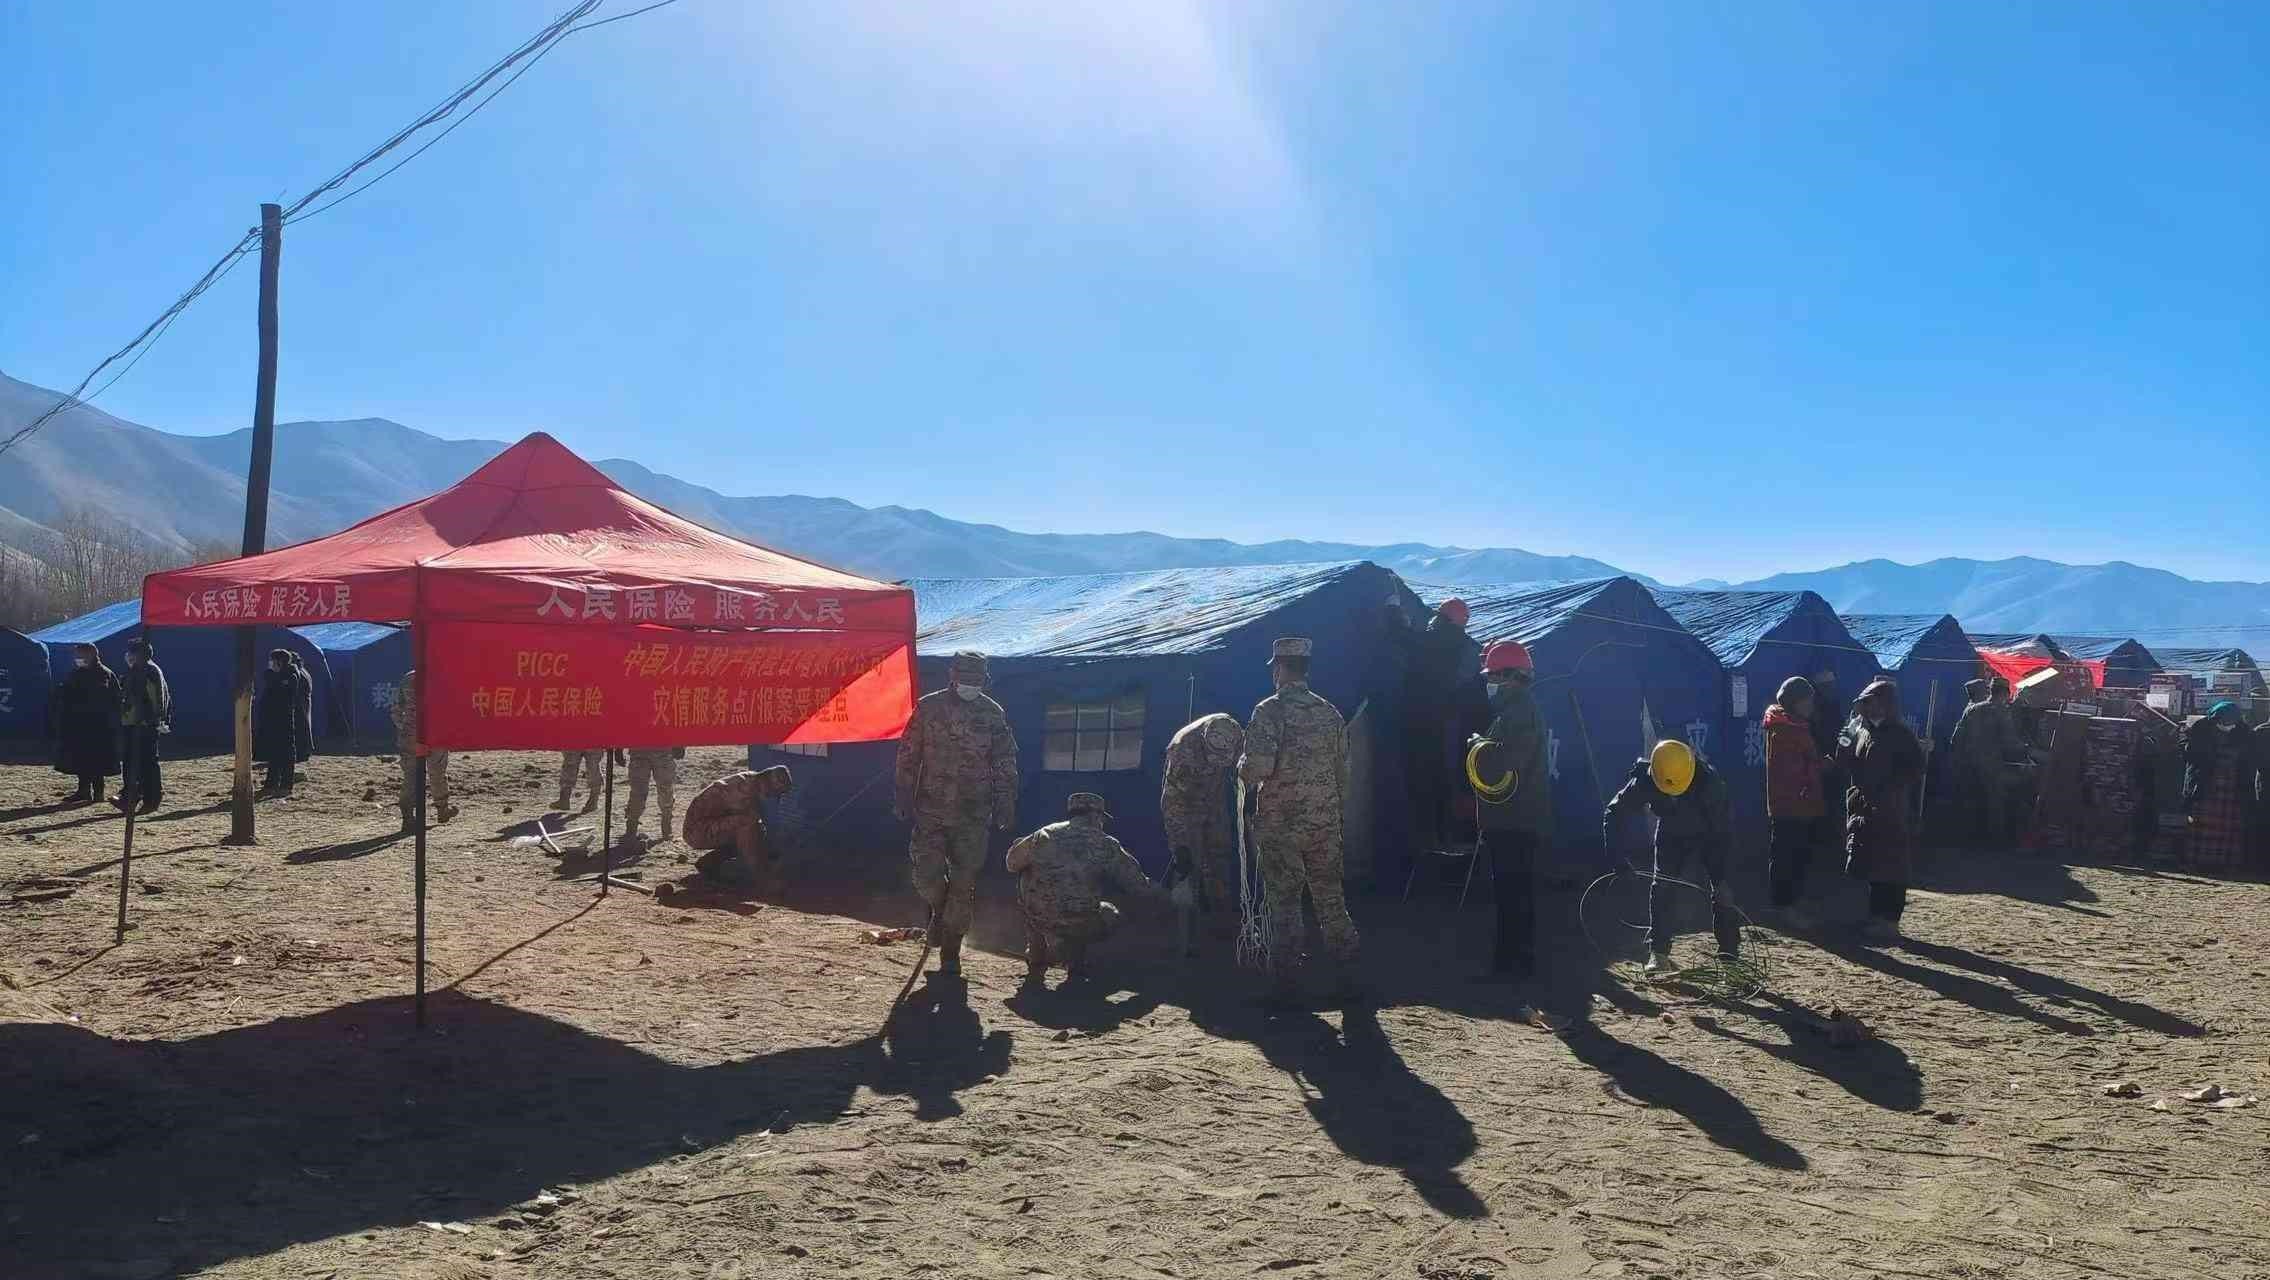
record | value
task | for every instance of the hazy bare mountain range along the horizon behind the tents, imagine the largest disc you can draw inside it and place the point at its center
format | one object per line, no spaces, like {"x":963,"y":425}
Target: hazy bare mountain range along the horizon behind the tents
{"x":190,"y":491}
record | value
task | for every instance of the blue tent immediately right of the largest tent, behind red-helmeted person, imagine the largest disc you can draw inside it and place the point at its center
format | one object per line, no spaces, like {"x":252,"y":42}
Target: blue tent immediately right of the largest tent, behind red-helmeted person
{"x":1615,"y":671}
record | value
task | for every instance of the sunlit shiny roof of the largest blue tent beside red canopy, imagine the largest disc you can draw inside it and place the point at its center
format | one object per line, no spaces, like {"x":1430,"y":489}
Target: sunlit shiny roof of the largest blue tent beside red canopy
{"x":1109,"y":616}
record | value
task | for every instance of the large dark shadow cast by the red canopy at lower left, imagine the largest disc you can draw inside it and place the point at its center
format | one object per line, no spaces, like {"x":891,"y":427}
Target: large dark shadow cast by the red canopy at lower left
{"x":176,"y":1156}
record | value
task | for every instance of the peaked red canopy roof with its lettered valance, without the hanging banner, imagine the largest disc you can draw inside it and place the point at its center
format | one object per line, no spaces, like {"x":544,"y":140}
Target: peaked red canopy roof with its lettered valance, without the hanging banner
{"x":537,"y":534}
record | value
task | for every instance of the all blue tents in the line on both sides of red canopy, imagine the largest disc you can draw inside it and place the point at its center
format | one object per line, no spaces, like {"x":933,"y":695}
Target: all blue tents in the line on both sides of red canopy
{"x":1098,"y":673}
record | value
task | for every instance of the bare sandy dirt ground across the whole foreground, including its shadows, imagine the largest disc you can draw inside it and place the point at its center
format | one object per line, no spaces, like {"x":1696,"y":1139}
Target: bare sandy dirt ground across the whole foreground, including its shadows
{"x":637,"y":1090}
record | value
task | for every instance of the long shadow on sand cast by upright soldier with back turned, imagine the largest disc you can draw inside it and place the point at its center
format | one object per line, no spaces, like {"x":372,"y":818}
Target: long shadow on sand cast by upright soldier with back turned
{"x":1363,"y":1095}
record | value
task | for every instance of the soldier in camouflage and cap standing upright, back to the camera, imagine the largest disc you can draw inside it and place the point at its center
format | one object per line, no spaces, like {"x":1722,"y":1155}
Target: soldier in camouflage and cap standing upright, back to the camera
{"x":1297,"y":759}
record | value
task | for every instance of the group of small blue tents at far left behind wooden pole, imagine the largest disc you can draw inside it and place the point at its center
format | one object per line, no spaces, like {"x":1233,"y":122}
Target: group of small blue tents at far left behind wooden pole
{"x":355,"y":666}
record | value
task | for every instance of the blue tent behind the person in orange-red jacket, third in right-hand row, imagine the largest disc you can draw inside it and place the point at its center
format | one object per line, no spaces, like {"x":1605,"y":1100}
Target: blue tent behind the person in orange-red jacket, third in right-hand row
{"x":1760,"y":641}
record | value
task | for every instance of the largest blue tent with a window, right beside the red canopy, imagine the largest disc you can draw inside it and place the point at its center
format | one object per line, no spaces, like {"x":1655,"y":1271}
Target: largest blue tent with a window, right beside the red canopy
{"x":1100,"y":671}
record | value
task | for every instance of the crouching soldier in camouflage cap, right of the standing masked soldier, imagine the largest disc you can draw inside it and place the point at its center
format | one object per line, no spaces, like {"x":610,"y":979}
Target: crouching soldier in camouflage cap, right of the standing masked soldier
{"x":1063,"y":870}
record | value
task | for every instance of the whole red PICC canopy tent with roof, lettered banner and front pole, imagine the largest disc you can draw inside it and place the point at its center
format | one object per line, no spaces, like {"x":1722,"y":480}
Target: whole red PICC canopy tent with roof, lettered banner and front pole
{"x":573,"y":614}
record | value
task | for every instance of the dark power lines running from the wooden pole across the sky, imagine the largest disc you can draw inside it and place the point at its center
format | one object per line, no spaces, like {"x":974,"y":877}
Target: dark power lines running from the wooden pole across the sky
{"x":523,"y":56}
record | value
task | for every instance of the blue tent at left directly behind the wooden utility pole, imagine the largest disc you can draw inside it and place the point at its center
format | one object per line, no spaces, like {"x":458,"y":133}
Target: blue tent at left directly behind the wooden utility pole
{"x":199,"y":662}
